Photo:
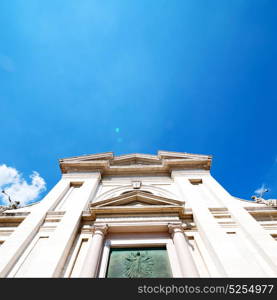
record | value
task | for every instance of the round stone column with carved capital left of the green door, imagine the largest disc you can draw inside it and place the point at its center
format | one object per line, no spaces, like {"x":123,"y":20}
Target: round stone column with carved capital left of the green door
{"x":91,"y":261}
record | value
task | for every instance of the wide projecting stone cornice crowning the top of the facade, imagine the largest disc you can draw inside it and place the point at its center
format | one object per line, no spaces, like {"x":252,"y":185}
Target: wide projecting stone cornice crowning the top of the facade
{"x":107,"y":163}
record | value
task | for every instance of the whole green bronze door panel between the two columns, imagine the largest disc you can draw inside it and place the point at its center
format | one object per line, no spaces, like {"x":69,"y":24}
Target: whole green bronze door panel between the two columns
{"x":139,"y":263}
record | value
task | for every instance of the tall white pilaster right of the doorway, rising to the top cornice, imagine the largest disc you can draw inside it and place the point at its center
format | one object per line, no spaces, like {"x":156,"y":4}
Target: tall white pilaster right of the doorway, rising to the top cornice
{"x":226,"y":256}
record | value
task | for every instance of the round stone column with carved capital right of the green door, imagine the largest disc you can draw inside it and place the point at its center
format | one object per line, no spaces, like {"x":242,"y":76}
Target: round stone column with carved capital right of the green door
{"x":185,"y":258}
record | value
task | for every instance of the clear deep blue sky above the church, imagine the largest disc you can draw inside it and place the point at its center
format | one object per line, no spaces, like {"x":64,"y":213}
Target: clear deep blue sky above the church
{"x":82,"y":77}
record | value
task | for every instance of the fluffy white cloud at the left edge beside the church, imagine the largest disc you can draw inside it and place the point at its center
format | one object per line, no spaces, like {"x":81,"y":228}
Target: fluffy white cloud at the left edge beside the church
{"x":18,"y":188}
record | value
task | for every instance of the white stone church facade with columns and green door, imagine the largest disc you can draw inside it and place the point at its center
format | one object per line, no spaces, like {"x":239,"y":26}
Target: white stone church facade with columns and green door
{"x":139,"y":215}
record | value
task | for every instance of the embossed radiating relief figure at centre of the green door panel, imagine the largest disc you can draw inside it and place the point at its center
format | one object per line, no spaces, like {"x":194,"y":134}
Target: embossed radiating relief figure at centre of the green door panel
{"x":138,"y":265}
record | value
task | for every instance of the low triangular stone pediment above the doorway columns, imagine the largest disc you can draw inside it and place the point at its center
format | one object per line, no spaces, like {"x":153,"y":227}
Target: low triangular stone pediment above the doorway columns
{"x":137,"y":198}
